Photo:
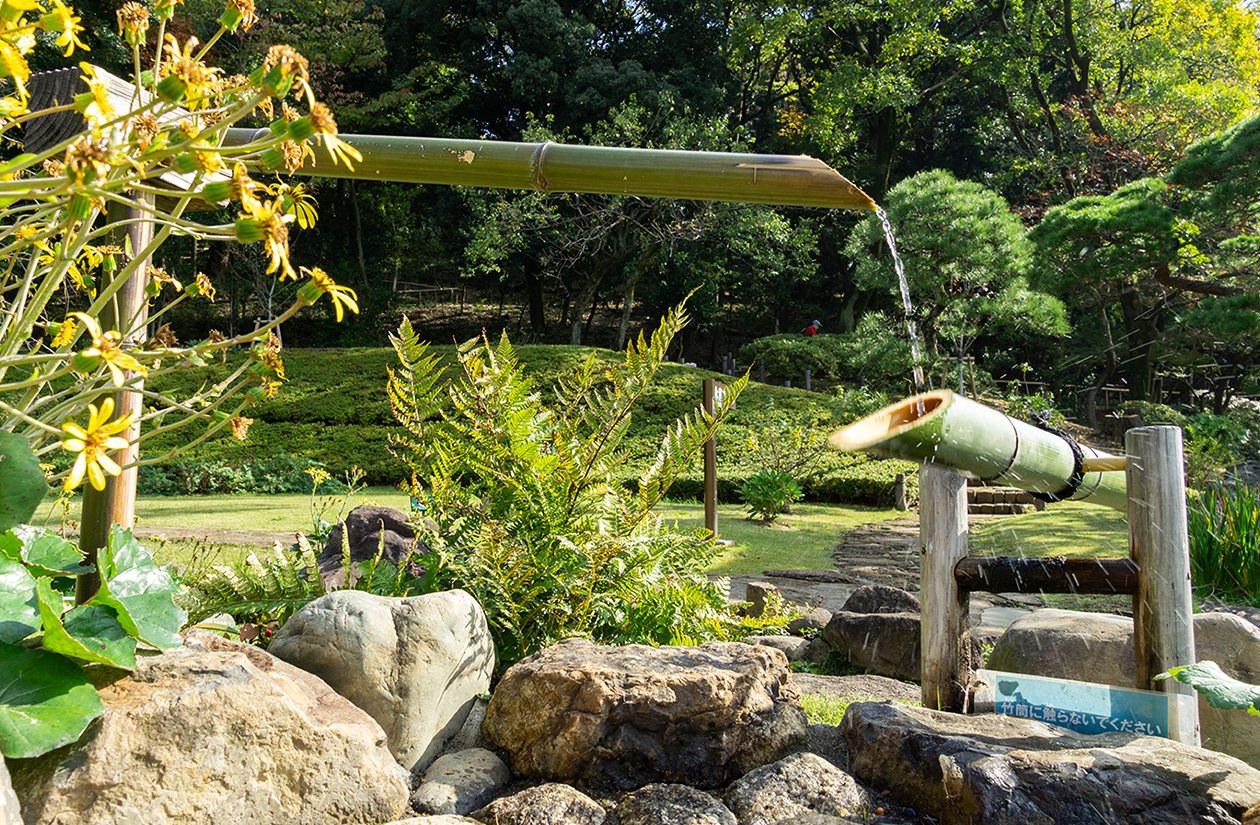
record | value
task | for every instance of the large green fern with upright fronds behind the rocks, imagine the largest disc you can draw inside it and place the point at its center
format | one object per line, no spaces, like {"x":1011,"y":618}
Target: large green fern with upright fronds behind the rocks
{"x":524,"y":506}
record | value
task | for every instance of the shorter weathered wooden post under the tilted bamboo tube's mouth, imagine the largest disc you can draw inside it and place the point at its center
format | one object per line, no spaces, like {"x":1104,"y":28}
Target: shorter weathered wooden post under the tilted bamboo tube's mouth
{"x":946,"y":649}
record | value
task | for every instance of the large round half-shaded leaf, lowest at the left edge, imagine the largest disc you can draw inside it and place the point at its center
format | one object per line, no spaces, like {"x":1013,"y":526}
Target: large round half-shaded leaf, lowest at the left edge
{"x":46,"y":702}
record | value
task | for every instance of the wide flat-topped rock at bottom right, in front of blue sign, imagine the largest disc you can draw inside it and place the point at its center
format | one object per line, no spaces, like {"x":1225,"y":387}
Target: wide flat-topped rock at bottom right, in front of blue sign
{"x":1006,"y":771}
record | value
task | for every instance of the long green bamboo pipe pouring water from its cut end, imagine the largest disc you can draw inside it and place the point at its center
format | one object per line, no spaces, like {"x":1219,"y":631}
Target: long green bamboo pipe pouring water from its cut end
{"x":788,"y":181}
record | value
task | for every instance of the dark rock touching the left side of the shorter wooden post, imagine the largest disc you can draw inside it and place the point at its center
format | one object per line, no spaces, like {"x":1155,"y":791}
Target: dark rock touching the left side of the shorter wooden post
{"x":884,"y":644}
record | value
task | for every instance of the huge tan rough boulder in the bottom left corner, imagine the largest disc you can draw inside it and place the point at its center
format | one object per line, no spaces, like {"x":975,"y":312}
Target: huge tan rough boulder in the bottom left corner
{"x":217,"y":734}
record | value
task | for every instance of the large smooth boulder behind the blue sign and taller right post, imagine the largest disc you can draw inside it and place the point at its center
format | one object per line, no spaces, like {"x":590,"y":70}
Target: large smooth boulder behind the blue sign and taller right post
{"x":1099,"y":648}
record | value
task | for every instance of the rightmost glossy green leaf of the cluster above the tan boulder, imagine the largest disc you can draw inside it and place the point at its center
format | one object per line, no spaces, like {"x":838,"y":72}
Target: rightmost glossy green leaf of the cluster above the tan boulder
{"x":142,"y":593}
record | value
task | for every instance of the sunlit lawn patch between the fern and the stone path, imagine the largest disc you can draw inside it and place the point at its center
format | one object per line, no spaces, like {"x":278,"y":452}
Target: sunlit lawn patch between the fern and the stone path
{"x":801,"y":541}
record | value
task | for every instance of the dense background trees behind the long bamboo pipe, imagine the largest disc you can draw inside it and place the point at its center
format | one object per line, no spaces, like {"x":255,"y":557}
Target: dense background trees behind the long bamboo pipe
{"x":1116,"y":133}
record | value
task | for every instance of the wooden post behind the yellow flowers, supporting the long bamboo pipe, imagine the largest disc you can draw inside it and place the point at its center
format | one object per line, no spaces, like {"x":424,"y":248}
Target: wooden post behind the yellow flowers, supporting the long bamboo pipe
{"x":127,"y":314}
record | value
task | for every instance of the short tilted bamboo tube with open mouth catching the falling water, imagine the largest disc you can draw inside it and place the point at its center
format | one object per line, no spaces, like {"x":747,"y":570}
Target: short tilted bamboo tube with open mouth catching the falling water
{"x":983,"y":444}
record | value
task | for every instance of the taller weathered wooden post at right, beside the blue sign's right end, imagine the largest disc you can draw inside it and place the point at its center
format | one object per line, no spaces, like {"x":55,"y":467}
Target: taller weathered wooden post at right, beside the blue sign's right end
{"x":1164,"y":614}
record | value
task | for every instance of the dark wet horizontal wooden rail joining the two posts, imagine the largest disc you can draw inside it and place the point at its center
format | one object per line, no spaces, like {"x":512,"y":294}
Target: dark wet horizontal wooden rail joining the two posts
{"x":1055,"y":575}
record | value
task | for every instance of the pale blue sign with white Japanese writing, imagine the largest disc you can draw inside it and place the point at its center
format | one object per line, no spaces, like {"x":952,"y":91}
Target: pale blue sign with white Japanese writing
{"x":1077,"y":706}
